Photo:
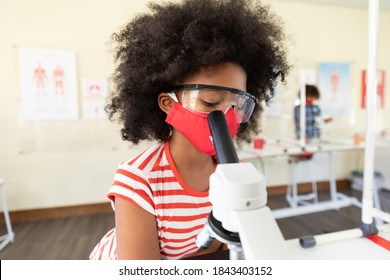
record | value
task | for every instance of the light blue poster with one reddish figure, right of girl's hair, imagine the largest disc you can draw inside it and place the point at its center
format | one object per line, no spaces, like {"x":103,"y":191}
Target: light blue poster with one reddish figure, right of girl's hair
{"x":335,"y":89}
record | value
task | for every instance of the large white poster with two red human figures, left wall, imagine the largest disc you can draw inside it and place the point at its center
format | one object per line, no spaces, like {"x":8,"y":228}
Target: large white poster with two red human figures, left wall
{"x":48,"y":84}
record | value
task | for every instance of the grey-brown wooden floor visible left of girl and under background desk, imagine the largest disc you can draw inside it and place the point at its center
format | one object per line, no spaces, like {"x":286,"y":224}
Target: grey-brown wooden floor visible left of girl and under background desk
{"x":73,"y":238}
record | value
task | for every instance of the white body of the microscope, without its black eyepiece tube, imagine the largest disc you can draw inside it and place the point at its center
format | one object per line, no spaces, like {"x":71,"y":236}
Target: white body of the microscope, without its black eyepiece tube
{"x":238,"y":195}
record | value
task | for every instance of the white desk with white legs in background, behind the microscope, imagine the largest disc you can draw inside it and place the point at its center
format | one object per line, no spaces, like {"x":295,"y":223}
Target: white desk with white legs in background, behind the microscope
{"x":282,"y":148}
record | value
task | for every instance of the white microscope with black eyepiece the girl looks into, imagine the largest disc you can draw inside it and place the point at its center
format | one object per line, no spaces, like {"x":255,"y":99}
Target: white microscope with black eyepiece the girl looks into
{"x":240,"y":217}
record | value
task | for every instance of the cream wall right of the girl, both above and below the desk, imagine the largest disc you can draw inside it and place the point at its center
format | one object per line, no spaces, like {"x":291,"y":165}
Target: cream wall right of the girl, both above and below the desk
{"x":327,"y":33}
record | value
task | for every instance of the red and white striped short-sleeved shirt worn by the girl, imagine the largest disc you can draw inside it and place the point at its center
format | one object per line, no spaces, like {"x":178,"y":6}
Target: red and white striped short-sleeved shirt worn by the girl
{"x":152,"y":181}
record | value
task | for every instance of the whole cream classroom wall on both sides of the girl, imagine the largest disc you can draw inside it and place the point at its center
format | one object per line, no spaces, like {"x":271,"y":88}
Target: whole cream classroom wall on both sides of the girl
{"x":63,"y":163}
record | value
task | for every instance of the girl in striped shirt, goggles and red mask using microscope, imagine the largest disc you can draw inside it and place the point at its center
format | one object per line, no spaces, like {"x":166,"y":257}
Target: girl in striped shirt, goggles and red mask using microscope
{"x":174,"y":65}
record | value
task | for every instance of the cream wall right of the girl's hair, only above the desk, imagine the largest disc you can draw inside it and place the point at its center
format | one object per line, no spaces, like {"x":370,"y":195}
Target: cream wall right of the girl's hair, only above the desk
{"x":328,"y":33}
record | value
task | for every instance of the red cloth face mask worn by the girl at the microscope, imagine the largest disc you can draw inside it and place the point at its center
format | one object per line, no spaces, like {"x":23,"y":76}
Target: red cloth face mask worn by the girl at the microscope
{"x":194,"y":126}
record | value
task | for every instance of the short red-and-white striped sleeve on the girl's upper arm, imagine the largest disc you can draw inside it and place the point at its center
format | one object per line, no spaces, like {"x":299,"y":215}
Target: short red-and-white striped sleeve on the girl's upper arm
{"x":131,"y":184}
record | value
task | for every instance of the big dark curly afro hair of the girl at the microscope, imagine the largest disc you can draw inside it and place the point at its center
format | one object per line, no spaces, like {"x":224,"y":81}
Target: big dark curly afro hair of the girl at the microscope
{"x":174,"y":40}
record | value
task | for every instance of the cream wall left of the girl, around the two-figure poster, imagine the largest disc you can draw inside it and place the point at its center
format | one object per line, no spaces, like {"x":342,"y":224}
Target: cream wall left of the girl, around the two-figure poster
{"x":58,"y":163}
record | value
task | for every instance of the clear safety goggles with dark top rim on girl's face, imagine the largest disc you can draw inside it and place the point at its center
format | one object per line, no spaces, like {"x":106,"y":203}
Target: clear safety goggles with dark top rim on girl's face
{"x":207,"y":98}
